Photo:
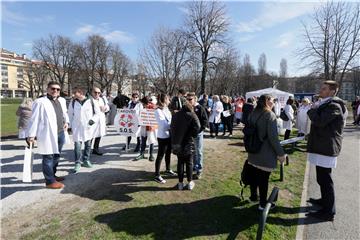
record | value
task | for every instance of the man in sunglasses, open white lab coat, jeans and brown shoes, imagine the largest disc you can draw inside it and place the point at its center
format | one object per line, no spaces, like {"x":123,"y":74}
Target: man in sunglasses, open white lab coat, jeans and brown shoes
{"x":48,"y":123}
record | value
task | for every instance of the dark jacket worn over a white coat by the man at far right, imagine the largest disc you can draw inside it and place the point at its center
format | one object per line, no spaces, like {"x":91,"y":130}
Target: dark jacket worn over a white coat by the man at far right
{"x":327,"y":124}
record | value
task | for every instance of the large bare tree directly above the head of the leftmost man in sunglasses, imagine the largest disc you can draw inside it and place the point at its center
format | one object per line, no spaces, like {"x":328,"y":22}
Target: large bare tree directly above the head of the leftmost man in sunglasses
{"x":57,"y":54}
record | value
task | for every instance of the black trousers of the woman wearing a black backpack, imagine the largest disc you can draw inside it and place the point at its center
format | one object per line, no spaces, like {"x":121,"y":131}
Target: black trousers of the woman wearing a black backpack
{"x":261,"y":181}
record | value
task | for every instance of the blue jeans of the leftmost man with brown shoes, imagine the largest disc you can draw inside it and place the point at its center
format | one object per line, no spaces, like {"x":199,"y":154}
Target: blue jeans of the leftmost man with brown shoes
{"x":51,"y":161}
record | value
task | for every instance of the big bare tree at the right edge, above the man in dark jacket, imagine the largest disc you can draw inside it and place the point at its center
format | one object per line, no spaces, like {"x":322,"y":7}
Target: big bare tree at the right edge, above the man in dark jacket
{"x":333,"y":40}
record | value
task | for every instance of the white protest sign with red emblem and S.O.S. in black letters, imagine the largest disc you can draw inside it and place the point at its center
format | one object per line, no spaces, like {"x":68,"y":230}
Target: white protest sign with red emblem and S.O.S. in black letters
{"x":126,"y":122}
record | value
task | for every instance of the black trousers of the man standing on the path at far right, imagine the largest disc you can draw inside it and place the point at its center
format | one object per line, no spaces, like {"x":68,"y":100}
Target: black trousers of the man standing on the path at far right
{"x":323,"y":178}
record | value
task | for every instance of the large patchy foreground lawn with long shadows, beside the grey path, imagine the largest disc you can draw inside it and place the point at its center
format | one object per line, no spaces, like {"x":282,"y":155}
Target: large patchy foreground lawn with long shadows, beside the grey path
{"x":147,"y":210}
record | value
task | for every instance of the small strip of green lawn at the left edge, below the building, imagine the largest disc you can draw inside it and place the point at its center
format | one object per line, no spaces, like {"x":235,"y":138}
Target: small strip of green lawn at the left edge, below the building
{"x":8,"y":119}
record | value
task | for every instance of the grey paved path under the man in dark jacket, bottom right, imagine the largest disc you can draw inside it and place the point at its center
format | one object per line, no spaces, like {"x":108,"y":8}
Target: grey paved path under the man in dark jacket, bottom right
{"x":347,"y":193}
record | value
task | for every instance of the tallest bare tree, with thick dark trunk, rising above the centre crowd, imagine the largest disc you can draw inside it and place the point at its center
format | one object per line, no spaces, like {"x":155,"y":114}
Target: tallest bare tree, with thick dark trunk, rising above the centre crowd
{"x":206,"y":24}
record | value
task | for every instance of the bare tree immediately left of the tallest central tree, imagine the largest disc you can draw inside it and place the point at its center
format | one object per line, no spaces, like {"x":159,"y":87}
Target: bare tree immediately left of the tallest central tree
{"x":164,"y":58}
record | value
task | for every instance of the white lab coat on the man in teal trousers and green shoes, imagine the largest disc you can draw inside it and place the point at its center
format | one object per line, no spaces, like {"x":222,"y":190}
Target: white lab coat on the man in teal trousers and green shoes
{"x":79,"y":117}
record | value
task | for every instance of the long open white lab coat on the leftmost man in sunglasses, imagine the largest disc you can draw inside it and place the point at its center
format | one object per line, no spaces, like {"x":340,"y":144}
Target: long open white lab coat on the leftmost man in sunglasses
{"x":43,"y":125}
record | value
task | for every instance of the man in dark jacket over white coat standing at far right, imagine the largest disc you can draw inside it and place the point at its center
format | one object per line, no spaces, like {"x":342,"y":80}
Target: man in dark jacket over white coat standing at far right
{"x":324,"y":145}
